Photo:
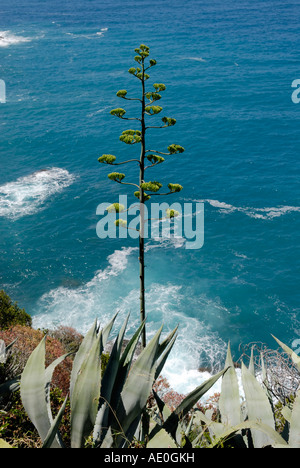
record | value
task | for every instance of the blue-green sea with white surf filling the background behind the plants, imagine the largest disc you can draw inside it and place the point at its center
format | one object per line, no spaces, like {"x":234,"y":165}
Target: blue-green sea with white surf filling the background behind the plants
{"x":228,"y":68}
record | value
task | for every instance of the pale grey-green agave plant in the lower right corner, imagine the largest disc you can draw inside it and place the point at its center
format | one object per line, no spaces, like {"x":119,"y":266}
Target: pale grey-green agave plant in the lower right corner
{"x":250,"y":422}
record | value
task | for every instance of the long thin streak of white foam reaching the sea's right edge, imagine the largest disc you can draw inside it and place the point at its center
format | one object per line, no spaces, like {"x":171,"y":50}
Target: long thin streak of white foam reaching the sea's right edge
{"x":256,"y":213}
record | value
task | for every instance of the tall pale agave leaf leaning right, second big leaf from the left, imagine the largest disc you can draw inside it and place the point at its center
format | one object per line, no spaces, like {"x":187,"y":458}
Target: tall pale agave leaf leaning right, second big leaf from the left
{"x":86,"y":394}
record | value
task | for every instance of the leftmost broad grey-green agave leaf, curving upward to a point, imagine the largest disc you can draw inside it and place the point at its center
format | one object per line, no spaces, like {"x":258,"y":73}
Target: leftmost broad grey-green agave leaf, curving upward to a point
{"x":33,"y":391}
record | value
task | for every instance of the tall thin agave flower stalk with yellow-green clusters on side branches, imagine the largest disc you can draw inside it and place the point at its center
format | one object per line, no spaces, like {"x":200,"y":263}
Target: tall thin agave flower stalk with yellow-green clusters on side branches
{"x":148,"y":158}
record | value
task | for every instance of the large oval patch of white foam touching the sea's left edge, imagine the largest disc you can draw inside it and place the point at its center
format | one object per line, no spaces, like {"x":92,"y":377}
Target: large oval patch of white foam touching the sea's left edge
{"x":28,"y":194}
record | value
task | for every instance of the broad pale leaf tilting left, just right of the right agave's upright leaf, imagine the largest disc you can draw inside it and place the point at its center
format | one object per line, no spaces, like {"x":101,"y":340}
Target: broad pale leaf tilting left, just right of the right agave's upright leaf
{"x":259,"y":408}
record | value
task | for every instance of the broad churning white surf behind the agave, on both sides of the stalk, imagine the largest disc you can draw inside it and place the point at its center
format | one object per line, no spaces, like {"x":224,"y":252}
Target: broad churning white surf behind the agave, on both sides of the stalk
{"x":110,"y":291}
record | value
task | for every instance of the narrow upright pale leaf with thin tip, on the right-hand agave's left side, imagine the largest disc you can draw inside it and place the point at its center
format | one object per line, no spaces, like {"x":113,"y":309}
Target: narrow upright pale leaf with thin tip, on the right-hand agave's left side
{"x":229,"y":403}
